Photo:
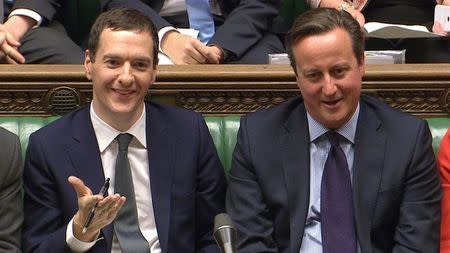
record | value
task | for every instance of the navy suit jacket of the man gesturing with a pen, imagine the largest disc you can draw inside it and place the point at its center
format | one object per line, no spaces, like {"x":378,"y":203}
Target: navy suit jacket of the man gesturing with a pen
{"x":187,"y":180}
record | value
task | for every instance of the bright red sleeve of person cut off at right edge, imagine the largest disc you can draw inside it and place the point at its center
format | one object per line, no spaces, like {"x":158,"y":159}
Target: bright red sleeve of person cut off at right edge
{"x":444,"y":169}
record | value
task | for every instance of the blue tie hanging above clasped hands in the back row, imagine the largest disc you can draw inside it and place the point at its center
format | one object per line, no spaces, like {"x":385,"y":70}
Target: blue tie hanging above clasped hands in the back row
{"x":200,"y":19}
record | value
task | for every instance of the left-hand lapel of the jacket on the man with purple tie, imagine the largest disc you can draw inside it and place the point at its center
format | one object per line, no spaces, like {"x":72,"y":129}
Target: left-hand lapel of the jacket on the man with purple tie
{"x":296,"y":172}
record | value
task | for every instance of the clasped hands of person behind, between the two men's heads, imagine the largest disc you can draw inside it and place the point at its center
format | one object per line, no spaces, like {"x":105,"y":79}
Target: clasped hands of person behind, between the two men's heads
{"x":183,"y":49}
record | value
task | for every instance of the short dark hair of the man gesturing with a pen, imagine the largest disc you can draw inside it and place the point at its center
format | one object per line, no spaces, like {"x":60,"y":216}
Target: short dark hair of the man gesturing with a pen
{"x":122,"y":19}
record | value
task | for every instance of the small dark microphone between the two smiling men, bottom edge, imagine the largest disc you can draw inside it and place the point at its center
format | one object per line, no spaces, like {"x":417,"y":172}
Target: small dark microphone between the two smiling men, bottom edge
{"x":225,"y":233}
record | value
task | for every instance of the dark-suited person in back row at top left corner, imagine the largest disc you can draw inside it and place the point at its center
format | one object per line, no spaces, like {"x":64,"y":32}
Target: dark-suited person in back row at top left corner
{"x":48,"y":31}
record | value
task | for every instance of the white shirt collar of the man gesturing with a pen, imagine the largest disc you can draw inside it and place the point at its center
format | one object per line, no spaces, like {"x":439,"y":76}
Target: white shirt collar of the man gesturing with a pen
{"x":106,"y":134}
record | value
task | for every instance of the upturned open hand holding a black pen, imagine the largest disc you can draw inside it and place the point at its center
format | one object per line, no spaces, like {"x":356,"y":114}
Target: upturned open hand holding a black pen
{"x":105,"y":213}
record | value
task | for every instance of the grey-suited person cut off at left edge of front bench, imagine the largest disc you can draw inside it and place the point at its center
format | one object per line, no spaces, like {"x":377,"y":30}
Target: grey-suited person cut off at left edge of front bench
{"x":11,"y":207}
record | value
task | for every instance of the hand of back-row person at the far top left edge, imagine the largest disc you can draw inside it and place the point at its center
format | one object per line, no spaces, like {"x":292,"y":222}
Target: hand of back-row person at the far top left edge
{"x":10,"y":34}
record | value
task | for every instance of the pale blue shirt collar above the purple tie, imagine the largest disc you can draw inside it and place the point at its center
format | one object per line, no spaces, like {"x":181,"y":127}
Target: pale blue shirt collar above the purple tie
{"x":348,"y":130}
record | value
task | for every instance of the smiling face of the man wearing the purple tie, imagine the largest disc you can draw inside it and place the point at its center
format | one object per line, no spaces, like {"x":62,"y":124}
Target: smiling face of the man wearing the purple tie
{"x":329,"y":76}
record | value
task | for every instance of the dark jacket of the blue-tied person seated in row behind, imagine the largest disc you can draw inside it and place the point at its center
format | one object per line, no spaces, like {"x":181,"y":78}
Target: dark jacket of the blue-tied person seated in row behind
{"x":246,"y":21}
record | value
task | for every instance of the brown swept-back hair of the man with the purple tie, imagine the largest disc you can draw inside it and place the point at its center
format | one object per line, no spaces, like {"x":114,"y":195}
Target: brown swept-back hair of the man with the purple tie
{"x":322,"y":20}
